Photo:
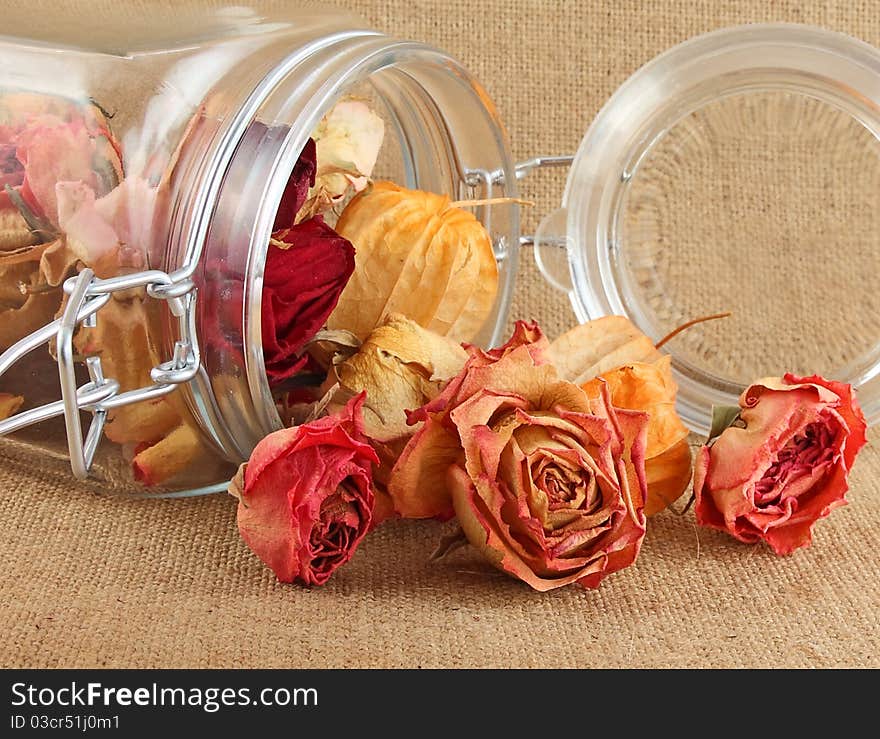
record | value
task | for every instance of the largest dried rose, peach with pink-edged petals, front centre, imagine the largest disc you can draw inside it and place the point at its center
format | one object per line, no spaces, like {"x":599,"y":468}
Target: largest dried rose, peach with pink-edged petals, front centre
{"x":548,"y":485}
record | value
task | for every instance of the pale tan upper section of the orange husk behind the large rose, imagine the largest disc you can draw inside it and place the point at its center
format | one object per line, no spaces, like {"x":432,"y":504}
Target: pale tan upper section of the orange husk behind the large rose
{"x":598,"y":346}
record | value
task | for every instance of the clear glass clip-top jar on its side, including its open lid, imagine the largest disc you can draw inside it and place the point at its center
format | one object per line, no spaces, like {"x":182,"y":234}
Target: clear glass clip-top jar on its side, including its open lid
{"x":133,"y":302}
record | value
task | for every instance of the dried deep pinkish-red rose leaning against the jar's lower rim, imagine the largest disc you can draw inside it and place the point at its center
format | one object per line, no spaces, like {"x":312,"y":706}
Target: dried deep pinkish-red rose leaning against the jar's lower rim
{"x":305,"y":497}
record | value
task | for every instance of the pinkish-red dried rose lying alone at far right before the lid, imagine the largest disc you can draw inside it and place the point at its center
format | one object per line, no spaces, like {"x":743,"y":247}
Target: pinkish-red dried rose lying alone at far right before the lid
{"x":784,"y":462}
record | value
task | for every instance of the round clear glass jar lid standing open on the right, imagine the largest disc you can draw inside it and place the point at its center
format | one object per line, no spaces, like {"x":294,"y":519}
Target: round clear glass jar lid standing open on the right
{"x":737,"y":172}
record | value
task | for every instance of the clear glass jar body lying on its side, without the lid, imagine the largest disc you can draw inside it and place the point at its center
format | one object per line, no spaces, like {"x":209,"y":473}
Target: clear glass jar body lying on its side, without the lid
{"x":146,"y":316}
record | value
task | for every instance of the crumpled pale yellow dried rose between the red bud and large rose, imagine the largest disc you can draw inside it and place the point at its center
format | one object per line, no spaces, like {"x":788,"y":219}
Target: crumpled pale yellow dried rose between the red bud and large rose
{"x":400,"y":366}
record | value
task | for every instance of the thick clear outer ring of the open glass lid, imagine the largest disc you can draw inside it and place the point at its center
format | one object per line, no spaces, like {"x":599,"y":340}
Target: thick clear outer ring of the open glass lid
{"x":828,"y":66}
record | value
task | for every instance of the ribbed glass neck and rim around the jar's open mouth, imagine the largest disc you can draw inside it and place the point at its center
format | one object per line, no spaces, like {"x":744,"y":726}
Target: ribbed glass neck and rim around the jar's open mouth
{"x":420,"y":89}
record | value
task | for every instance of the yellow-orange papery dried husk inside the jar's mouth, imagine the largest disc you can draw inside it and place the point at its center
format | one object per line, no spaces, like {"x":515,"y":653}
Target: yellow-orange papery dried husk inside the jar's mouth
{"x":419,"y":256}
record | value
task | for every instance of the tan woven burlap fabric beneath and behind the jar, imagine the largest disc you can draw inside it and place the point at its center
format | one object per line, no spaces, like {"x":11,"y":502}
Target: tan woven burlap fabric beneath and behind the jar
{"x":92,"y":581}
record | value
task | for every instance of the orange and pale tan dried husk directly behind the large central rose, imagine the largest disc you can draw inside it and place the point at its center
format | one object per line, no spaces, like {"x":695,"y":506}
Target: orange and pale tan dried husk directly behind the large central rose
{"x":612,"y":351}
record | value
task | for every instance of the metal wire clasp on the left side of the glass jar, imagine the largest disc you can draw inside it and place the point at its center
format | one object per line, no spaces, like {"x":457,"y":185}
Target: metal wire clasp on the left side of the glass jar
{"x":86,"y":296}
